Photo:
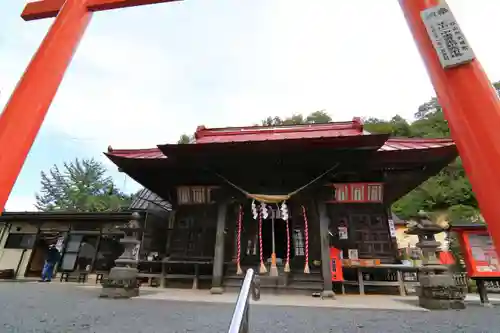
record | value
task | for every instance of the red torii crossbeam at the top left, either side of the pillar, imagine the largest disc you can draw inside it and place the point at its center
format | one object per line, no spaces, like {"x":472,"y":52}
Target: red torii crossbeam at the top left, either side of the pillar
{"x":50,"y":8}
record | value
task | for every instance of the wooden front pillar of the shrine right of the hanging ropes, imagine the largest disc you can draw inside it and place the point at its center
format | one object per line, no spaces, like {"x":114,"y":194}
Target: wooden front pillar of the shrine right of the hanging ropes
{"x":325,"y":252}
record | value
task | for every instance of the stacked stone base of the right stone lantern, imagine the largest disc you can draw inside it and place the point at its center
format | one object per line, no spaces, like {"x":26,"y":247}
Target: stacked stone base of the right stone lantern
{"x":440,"y":292}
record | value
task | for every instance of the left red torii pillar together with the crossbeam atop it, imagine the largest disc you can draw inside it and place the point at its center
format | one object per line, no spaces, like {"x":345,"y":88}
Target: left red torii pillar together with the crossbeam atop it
{"x":25,"y":111}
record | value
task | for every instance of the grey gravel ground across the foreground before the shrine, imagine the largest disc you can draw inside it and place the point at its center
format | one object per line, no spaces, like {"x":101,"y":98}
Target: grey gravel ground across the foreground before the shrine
{"x":27,"y":307}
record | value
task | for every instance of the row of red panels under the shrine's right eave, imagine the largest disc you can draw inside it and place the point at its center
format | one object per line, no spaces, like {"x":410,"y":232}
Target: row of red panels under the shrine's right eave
{"x":358,"y":193}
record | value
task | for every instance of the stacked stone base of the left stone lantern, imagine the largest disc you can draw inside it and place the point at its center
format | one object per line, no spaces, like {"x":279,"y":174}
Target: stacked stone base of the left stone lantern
{"x":121,"y":283}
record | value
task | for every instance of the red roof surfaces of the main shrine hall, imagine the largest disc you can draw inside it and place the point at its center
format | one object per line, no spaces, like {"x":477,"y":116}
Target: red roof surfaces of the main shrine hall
{"x":259,"y":133}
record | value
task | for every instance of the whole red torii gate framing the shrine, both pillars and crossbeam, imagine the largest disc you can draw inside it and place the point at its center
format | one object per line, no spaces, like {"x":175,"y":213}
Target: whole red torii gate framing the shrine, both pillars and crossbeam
{"x":469,"y":101}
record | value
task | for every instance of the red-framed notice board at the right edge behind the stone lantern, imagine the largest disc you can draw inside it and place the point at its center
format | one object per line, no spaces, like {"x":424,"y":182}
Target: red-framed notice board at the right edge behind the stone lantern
{"x":479,"y":253}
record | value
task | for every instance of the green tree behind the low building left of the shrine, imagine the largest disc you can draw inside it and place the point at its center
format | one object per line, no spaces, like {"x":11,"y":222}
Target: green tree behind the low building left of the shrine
{"x":80,"y":186}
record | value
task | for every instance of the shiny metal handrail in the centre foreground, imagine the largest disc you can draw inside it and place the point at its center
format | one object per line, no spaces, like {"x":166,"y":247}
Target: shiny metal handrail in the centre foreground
{"x":240,"y":320}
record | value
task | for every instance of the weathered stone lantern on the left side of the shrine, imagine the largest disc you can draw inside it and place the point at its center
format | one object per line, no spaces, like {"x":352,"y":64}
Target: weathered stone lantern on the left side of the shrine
{"x":122,"y":281}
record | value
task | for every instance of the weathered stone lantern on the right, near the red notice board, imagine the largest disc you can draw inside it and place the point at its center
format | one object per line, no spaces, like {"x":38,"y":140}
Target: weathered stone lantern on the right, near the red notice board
{"x":438,"y":289}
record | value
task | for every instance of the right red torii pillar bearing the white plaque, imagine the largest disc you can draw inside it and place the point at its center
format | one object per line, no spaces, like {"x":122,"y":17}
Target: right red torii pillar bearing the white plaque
{"x":472,"y":108}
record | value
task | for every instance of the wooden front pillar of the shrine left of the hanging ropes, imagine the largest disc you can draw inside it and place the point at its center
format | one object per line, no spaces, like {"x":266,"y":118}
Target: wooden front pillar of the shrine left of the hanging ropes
{"x":219,"y":250}
